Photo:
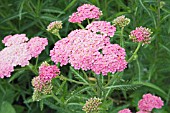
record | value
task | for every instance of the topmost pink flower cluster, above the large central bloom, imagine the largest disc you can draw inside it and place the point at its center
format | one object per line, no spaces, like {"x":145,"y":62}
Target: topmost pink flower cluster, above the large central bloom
{"x":86,"y":11}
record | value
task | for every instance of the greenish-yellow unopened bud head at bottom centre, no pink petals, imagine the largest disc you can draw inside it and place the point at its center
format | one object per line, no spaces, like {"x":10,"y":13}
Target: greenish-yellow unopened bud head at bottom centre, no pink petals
{"x":92,"y":105}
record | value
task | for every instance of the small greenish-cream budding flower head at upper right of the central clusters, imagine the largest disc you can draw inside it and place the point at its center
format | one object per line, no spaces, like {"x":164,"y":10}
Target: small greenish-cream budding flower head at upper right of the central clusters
{"x":121,"y":21}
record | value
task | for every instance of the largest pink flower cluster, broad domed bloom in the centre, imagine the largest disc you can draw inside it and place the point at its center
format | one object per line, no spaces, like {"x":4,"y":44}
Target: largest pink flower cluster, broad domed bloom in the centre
{"x":87,"y":50}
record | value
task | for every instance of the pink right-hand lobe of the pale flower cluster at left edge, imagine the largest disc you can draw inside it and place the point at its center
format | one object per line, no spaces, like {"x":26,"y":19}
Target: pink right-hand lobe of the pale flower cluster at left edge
{"x":36,"y":45}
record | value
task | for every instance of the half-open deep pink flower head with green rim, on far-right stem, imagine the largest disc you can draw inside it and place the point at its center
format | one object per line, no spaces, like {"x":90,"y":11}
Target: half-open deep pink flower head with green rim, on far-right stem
{"x":141,"y":34}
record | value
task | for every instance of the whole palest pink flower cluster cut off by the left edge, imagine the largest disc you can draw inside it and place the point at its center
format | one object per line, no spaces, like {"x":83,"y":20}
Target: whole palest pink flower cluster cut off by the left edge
{"x":19,"y":52}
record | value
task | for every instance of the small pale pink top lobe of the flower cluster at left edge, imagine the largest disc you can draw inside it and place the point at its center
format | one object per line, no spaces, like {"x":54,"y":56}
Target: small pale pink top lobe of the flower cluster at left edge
{"x":15,"y":39}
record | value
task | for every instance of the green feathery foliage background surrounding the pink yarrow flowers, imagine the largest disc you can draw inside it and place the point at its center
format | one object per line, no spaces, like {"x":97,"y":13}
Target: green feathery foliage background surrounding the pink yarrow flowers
{"x":151,"y":70}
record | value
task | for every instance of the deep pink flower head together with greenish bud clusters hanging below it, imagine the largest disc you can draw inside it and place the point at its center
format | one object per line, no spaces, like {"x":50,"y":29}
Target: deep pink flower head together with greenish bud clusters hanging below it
{"x":42,"y":83}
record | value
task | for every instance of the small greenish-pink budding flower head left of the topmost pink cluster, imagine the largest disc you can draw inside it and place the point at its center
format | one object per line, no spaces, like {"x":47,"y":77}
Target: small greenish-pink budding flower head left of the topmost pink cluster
{"x":54,"y":27}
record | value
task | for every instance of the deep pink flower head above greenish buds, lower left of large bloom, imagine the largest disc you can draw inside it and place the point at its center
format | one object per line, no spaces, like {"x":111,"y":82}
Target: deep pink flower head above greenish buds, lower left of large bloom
{"x":48,"y":72}
